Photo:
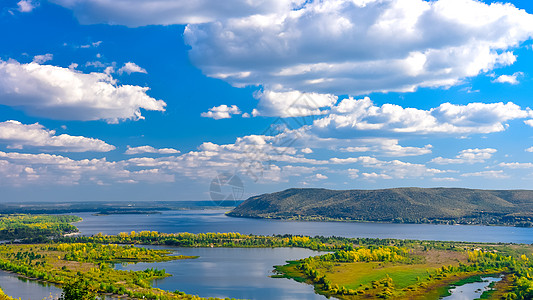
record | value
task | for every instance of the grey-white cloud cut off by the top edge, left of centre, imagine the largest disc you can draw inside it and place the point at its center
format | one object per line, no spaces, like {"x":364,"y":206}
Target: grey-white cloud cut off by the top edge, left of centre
{"x":166,"y":12}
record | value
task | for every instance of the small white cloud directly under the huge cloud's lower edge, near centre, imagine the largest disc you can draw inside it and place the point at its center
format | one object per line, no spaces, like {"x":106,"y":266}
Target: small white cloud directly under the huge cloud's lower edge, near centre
{"x":292,"y":104}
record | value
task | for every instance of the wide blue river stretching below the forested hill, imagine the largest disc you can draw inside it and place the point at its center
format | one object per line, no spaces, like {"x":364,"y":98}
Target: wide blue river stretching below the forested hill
{"x":197,"y":221}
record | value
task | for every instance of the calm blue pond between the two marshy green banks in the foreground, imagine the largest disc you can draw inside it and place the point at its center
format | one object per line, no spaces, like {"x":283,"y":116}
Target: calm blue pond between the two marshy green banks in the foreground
{"x":241,"y":273}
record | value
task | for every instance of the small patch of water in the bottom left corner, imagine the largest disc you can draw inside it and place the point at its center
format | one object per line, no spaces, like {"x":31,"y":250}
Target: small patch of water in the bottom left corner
{"x":25,"y":289}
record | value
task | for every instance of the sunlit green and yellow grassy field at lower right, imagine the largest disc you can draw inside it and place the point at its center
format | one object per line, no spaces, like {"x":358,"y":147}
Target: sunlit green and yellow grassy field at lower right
{"x":418,"y":275}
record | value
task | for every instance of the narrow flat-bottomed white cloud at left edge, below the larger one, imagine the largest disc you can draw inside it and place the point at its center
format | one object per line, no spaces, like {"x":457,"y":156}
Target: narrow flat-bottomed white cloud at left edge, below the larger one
{"x":18,"y":135}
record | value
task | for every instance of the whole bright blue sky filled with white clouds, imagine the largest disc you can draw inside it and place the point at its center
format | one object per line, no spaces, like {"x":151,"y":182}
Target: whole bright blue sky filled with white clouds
{"x":163,"y":100}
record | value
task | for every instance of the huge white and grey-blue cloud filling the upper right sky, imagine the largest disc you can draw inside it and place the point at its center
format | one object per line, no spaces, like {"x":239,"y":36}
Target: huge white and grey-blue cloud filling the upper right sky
{"x":354,"y":47}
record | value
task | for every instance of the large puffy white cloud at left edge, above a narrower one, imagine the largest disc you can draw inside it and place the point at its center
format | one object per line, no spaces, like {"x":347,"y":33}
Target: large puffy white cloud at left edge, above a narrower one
{"x":65,"y":94}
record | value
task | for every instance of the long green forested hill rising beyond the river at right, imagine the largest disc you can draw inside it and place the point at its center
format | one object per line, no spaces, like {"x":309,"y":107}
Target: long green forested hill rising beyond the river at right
{"x":410,"y":205}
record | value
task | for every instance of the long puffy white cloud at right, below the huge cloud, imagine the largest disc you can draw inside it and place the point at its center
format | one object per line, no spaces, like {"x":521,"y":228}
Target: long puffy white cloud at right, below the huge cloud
{"x":352,"y":115}
